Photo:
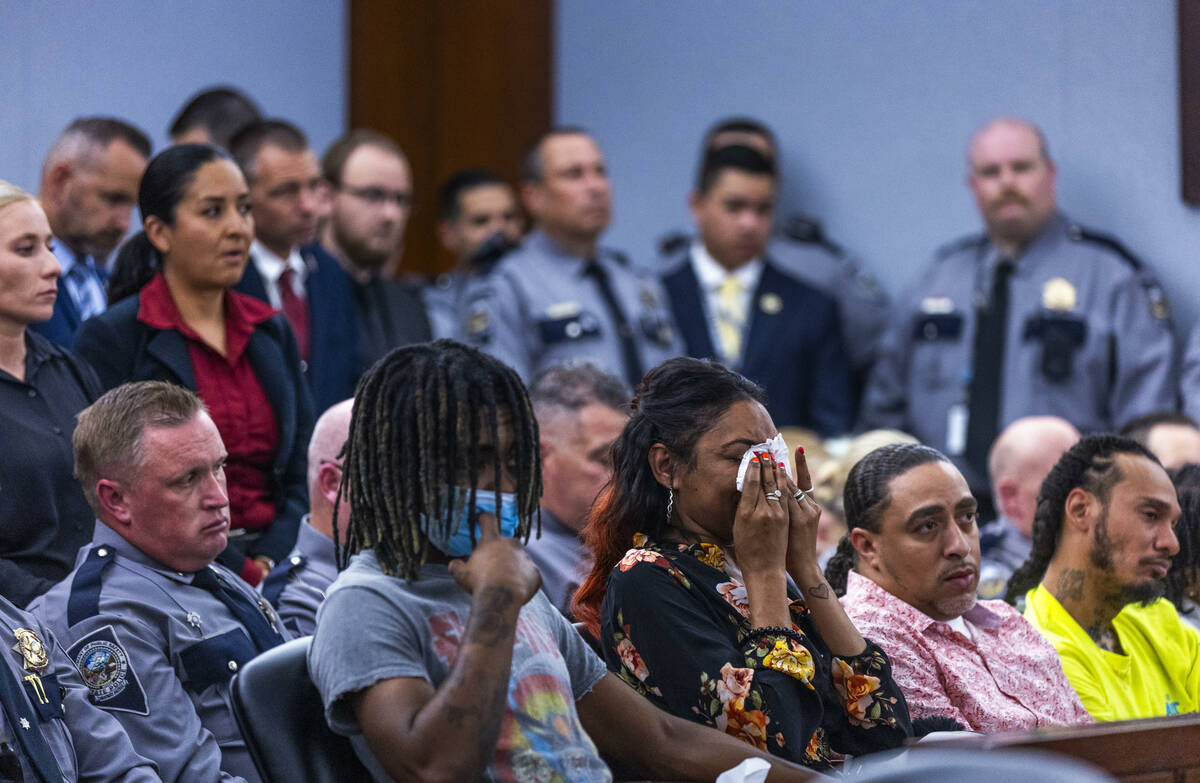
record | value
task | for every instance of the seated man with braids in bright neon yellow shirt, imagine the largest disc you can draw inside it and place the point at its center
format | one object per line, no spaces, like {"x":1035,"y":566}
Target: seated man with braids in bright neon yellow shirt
{"x":1103,"y":541}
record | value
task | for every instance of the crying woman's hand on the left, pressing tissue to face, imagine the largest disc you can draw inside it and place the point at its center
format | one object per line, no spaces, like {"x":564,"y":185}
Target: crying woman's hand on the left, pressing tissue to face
{"x":761,"y":524}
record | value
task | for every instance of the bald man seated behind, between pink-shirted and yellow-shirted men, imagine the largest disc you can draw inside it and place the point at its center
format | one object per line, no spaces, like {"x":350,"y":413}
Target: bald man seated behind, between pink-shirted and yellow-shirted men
{"x":1019,"y":462}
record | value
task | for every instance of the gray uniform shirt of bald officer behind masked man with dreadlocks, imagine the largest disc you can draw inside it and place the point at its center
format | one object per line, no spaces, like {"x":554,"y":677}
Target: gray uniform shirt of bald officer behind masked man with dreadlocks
{"x":298,"y":585}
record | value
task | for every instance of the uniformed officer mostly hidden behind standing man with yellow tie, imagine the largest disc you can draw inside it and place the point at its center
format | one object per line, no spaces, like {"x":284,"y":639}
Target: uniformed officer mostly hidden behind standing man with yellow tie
{"x":801,"y":248}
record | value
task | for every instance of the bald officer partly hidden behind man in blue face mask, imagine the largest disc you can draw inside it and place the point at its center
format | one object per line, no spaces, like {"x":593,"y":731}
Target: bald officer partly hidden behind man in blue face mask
{"x":297,"y":587}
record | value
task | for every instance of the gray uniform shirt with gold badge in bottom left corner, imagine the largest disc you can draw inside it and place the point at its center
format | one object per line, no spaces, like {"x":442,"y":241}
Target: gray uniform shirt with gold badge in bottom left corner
{"x":89,"y":744}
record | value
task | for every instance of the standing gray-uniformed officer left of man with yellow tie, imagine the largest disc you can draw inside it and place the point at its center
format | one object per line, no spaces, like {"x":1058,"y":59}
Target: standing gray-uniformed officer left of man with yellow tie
{"x":560,"y":296}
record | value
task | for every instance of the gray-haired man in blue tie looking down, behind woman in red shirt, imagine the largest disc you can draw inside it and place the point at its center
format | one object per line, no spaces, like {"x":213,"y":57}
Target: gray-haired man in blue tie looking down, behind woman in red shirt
{"x":89,"y":187}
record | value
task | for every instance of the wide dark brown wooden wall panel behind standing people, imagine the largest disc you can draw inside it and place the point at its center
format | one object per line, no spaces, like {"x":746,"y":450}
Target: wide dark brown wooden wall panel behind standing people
{"x":458,"y":83}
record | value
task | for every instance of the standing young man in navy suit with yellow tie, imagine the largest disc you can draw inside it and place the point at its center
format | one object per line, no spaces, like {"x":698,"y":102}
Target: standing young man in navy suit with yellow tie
{"x":734,"y":303}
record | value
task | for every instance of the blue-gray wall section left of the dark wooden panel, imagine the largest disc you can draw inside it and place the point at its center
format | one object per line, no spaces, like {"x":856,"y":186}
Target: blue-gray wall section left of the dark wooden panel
{"x":141,"y":61}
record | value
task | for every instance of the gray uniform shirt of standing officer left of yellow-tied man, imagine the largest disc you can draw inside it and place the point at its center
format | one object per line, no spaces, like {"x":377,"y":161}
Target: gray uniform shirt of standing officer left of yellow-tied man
{"x":538,"y":308}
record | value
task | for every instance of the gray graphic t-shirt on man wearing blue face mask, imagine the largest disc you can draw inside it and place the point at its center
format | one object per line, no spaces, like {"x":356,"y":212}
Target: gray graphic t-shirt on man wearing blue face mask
{"x":374,"y":627}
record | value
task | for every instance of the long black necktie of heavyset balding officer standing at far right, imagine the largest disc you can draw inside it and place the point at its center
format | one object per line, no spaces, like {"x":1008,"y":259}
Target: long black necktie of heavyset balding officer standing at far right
{"x":987,"y":361}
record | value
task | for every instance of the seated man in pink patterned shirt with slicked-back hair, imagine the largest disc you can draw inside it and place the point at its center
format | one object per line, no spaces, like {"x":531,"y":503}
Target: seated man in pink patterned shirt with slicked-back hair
{"x":908,"y":573}
